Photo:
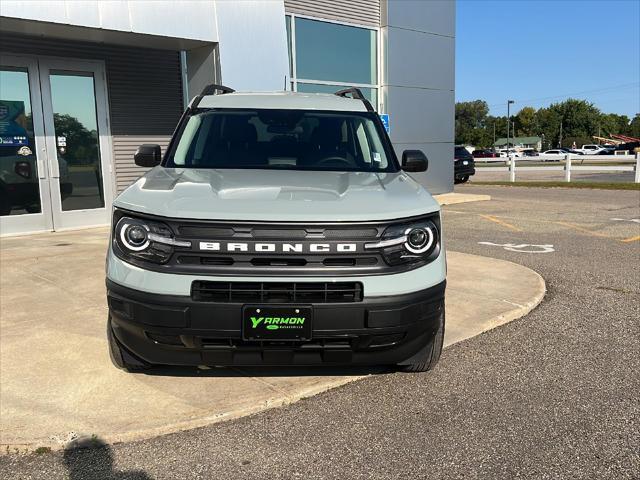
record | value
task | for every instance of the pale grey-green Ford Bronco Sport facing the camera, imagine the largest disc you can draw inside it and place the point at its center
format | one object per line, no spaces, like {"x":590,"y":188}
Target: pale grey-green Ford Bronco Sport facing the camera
{"x":278,"y":229}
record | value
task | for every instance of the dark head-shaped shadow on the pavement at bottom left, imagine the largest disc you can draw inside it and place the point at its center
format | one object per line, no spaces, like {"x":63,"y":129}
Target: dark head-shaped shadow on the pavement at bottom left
{"x":93,"y":459}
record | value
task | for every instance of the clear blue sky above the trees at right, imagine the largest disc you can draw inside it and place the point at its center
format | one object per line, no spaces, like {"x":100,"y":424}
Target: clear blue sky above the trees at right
{"x":530,"y":50}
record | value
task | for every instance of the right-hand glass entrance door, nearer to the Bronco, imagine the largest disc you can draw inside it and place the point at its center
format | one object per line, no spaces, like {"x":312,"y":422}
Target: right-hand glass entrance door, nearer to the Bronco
{"x":77,"y":142}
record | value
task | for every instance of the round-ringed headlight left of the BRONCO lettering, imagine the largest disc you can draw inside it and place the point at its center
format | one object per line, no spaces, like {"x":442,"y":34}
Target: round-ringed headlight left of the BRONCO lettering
{"x":136,"y":238}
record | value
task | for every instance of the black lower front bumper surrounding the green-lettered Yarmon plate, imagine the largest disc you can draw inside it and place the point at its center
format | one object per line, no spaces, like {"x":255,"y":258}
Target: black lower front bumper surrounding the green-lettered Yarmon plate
{"x":176,"y":330}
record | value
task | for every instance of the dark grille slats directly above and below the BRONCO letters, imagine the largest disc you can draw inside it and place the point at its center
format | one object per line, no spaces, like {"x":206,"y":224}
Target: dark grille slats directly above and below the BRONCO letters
{"x":277,"y":262}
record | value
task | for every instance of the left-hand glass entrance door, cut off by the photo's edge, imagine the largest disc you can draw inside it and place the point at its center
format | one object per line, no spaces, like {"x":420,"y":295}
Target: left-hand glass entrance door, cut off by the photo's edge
{"x":24,"y":184}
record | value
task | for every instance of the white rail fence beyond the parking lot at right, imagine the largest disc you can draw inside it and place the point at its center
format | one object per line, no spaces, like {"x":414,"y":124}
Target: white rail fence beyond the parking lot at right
{"x":569,"y":163}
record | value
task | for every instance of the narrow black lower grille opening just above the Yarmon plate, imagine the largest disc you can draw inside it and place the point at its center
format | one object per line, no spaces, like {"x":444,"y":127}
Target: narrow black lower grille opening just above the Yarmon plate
{"x":276,"y":292}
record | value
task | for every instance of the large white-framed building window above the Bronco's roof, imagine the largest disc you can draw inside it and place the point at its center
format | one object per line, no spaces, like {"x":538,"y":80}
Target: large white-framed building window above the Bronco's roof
{"x":325,"y":57}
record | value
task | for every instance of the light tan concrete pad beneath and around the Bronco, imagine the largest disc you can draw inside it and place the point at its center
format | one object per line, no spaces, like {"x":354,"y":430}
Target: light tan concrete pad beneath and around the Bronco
{"x":58,"y":385}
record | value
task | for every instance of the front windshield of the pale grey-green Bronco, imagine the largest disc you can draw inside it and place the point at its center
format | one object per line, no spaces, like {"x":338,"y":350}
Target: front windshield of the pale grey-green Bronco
{"x":283,"y":139}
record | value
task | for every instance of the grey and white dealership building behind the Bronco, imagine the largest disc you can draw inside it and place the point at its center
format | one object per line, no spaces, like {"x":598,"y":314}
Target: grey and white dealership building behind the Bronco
{"x":82,"y":84}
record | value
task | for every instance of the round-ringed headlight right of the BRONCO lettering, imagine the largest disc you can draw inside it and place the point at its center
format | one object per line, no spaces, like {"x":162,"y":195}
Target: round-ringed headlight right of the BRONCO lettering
{"x":409,"y":243}
